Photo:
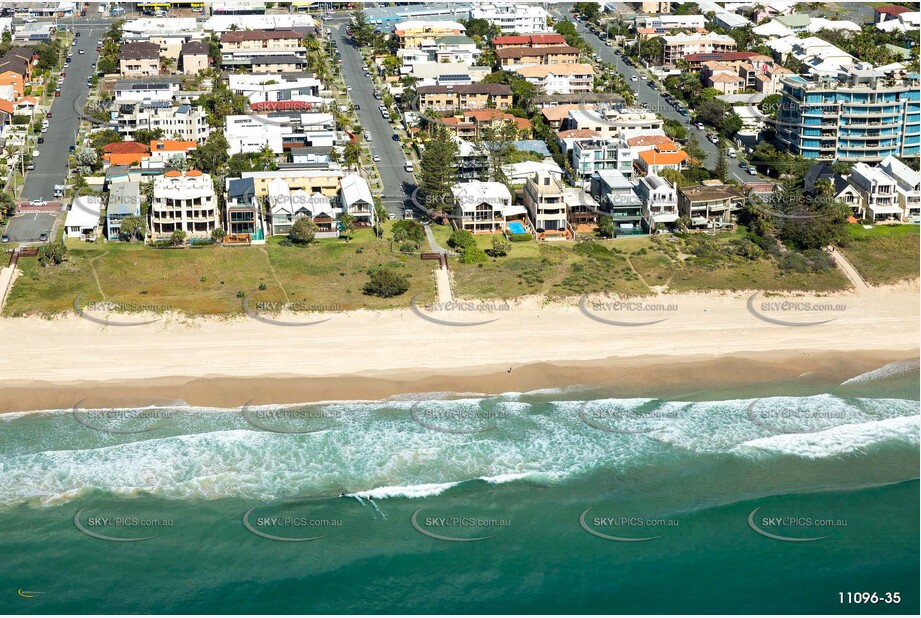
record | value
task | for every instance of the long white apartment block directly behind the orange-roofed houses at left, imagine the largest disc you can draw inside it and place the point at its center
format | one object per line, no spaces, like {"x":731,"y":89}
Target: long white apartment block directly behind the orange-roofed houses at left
{"x":180,"y":122}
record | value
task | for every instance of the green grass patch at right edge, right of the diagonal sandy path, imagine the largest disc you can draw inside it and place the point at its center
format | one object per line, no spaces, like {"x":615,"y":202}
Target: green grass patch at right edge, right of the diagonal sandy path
{"x":885,"y":253}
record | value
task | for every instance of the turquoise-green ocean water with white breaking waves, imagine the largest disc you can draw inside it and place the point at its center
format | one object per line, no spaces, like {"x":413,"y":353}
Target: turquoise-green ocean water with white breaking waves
{"x":774,"y":499}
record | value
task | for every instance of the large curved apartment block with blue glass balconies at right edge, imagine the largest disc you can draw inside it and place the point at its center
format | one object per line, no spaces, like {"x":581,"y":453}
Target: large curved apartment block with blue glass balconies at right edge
{"x":860,"y":114}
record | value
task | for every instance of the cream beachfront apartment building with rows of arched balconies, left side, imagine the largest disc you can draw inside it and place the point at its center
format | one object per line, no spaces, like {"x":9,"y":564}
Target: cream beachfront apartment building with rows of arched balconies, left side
{"x":184,"y":201}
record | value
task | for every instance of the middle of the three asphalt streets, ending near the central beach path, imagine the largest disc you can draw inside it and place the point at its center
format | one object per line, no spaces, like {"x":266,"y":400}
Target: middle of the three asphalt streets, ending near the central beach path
{"x":399,"y":185}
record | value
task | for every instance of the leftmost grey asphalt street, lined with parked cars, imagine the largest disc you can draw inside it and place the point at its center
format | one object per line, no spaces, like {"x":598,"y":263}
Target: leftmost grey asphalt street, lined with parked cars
{"x":51,"y":165}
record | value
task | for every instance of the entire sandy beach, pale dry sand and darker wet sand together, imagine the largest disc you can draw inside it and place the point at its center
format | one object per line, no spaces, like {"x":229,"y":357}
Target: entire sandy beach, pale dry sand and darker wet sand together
{"x":714,"y":339}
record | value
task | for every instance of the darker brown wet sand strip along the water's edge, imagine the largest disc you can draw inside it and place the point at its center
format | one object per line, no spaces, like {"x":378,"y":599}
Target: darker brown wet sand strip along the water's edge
{"x":659,"y":377}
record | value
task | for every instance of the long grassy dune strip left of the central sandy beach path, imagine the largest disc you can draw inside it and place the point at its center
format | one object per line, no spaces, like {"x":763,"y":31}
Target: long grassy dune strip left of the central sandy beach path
{"x":328,"y":274}
